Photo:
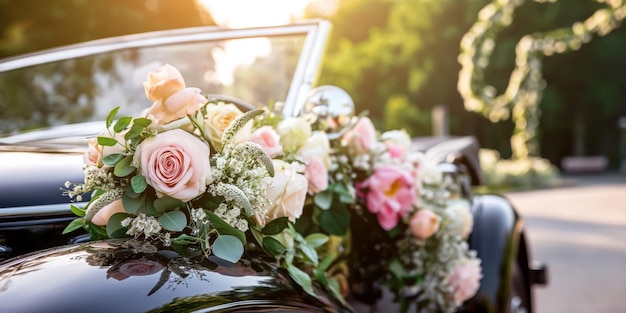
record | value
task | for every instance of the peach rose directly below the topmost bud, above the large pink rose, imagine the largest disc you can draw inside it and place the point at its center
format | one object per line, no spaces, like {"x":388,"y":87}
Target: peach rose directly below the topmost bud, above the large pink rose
{"x":178,"y":105}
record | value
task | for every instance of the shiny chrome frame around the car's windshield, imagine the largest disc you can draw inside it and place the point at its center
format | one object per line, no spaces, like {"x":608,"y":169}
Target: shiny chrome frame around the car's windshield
{"x":304,"y":77}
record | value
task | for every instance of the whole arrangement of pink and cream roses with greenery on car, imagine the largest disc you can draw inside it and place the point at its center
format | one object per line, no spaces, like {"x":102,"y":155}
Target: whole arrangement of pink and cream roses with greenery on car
{"x":198,"y":173}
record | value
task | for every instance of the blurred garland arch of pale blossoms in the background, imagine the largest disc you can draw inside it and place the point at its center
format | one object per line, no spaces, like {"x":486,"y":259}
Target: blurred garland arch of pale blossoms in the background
{"x":520,"y":100}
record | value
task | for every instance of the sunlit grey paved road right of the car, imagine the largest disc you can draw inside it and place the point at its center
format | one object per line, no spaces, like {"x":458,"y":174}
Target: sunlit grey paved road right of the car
{"x":580,"y":231}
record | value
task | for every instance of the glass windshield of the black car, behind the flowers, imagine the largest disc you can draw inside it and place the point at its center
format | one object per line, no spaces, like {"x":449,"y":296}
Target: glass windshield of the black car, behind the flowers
{"x":260,"y":68}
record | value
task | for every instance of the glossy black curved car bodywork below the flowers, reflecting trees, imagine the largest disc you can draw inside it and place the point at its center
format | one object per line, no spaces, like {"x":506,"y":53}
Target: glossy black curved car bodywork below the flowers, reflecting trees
{"x":143,"y":277}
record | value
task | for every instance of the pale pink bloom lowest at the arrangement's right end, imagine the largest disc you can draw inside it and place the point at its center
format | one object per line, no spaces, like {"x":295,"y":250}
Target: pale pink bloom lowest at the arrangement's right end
{"x":465,"y":280}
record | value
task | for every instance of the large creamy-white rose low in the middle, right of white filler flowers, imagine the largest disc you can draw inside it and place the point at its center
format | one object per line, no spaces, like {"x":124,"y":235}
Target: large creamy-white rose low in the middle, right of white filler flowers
{"x":287,"y":193}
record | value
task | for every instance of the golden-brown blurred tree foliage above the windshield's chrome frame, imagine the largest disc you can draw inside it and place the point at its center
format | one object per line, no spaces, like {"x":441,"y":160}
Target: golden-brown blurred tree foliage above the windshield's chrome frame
{"x":30,"y":25}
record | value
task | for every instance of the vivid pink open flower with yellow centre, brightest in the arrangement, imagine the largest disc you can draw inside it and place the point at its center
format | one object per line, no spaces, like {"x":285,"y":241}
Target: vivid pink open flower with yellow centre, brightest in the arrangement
{"x":390,"y":194}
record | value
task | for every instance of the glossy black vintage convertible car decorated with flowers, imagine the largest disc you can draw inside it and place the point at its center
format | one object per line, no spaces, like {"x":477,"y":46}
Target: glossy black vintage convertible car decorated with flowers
{"x":52,"y":103}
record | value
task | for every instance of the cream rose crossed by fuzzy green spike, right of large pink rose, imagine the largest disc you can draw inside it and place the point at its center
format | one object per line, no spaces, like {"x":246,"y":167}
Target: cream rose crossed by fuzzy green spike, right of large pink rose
{"x":217,"y":118}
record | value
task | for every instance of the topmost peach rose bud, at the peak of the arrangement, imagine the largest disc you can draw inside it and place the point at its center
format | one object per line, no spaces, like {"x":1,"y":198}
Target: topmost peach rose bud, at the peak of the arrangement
{"x":163,"y":82}
